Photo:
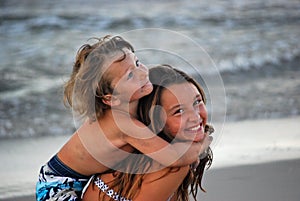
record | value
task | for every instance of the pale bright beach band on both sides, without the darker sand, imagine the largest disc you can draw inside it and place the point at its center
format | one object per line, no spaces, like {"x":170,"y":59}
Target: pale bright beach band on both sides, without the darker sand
{"x":248,"y":142}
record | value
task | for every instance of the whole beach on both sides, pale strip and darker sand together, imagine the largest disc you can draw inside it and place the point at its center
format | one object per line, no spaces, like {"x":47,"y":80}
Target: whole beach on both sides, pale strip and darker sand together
{"x":265,"y":168}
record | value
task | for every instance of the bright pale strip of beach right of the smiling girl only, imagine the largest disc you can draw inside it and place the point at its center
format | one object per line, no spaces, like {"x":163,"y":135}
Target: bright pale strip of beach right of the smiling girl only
{"x":256,"y":141}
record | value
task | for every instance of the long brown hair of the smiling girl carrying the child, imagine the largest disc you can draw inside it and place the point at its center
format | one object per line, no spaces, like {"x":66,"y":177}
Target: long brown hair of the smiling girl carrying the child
{"x":161,"y":77}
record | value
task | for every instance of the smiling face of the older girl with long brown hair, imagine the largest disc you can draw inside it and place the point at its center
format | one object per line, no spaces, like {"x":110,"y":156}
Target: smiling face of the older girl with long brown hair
{"x":185,"y":113}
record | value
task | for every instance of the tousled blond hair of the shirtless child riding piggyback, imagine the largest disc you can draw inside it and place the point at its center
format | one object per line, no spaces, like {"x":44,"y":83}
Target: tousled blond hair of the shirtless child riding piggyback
{"x":89,"y":80}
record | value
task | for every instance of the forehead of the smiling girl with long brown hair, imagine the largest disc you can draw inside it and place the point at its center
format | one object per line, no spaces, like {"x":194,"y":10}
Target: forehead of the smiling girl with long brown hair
{"x":179,"y":93}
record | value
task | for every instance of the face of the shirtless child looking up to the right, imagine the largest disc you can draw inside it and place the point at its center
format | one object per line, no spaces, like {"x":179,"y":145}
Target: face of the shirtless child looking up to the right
{"x":130,"y":78}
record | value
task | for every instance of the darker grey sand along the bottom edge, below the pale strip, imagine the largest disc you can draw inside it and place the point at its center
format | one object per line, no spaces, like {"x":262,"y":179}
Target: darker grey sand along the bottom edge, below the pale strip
{"x":272,"y":181}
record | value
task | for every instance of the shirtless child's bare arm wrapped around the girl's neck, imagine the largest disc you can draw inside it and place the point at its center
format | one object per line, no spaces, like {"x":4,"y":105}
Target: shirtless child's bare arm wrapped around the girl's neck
{"x":143,"y":139}
